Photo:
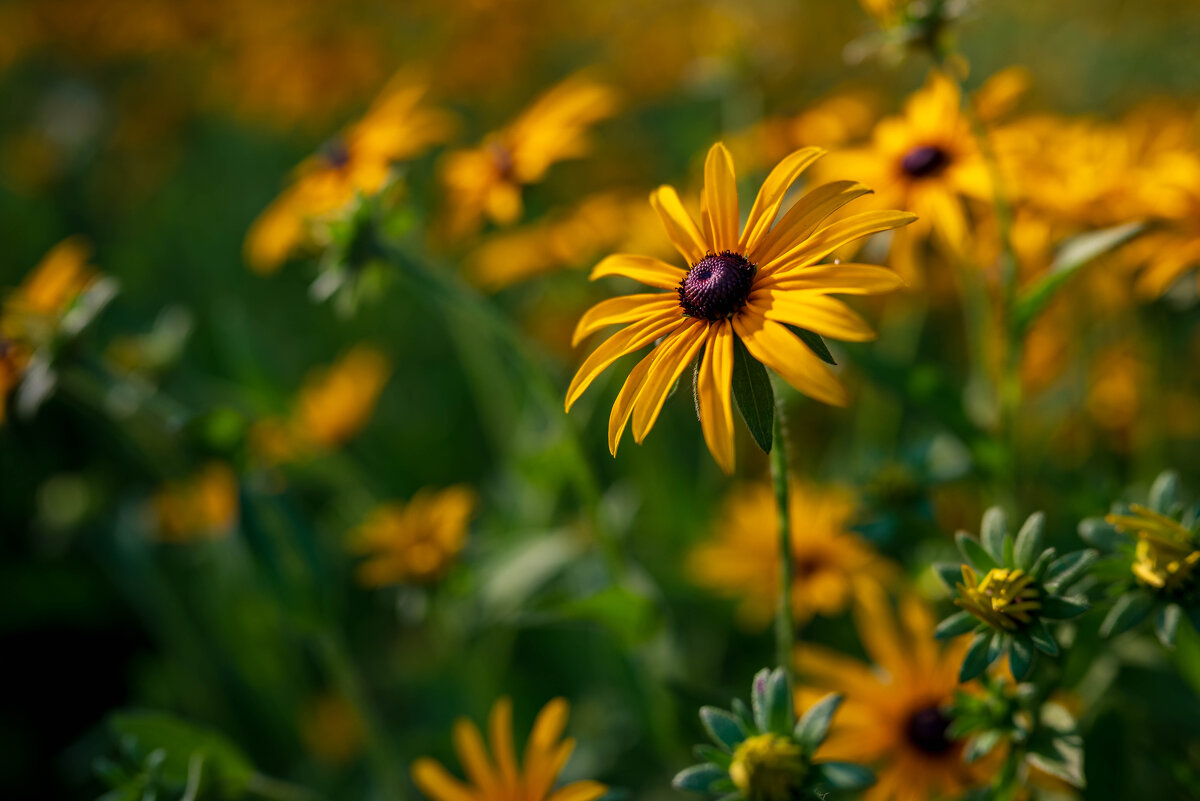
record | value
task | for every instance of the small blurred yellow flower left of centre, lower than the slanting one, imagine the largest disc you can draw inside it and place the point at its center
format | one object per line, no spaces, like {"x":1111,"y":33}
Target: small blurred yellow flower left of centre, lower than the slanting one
{"x":415,"y":541}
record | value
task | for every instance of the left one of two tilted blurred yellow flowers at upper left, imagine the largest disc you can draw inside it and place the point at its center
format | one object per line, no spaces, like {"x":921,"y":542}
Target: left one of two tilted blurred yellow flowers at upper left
{"x":356,"y":164}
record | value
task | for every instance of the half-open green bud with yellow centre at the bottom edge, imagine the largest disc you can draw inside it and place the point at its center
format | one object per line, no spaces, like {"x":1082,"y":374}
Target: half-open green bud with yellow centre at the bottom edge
{"x":763,"y":755}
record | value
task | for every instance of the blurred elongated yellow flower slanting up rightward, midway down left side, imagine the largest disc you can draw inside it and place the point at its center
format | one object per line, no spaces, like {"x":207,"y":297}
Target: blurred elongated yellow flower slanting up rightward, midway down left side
{"x":333,"y":406}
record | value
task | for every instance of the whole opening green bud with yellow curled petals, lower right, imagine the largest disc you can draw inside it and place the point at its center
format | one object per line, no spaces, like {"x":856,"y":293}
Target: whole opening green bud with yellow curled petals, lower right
{"x":1010,"y":588}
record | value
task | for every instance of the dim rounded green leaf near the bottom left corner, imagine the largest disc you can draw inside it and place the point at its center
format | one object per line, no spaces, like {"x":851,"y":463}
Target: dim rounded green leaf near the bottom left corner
{"x":179,"y":742}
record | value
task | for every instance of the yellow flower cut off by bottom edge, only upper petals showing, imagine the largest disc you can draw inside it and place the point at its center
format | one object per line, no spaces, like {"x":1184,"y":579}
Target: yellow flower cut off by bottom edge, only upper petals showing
{"x":506,"y":780}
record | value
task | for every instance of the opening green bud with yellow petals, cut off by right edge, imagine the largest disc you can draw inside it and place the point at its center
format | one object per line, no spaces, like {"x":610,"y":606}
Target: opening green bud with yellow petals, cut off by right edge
{"x":1155,"y":568}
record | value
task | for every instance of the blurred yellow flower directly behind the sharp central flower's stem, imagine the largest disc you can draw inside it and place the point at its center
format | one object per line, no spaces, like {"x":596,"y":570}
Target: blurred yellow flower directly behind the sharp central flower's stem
{"x":830,"y":563}
